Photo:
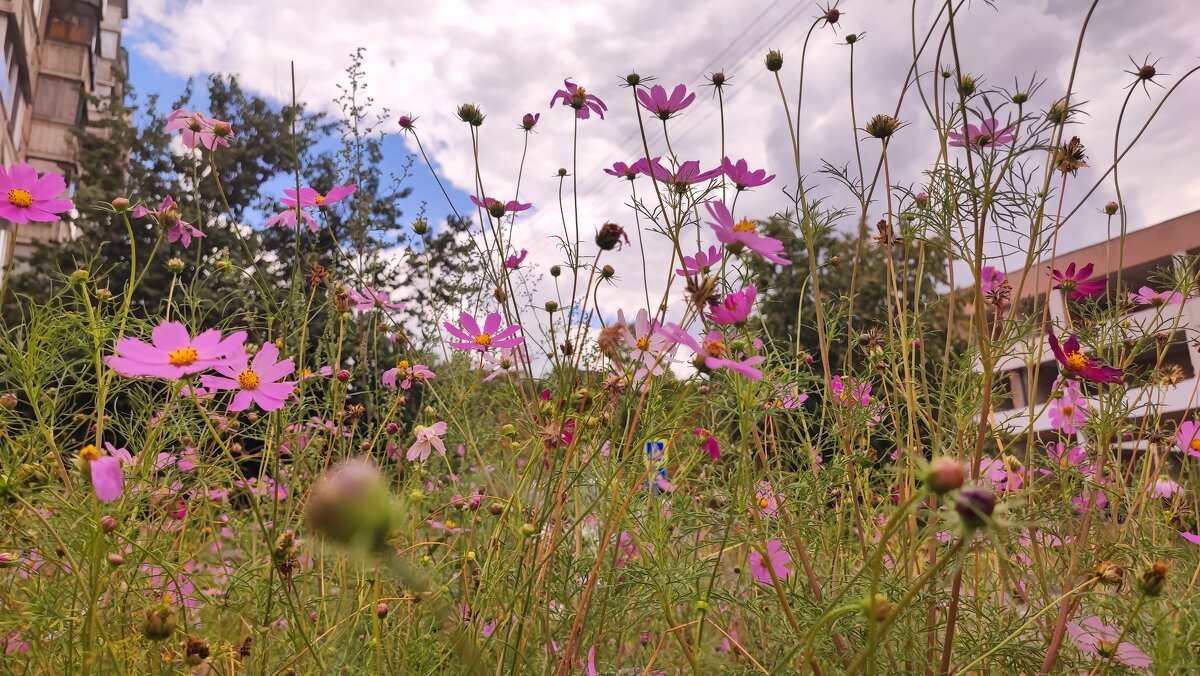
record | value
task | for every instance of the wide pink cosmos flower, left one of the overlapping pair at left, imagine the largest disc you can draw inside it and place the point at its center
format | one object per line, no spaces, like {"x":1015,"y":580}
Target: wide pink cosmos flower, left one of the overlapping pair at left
{"x":173,"y":354}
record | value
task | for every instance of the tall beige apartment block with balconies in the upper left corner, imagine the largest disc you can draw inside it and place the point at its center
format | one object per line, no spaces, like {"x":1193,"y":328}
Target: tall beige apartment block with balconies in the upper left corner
{"x":56,"y":53}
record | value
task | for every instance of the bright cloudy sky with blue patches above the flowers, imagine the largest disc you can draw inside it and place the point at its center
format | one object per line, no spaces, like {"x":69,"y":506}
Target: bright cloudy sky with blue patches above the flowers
{"x":509,"y":58}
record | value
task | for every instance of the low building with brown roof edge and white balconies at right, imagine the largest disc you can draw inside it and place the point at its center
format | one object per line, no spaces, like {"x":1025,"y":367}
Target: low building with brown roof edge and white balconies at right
{"x":1144,"y":253}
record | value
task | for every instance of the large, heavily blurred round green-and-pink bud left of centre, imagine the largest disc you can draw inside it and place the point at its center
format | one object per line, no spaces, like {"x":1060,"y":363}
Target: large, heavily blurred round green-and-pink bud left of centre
{"x":352,"y":505}
